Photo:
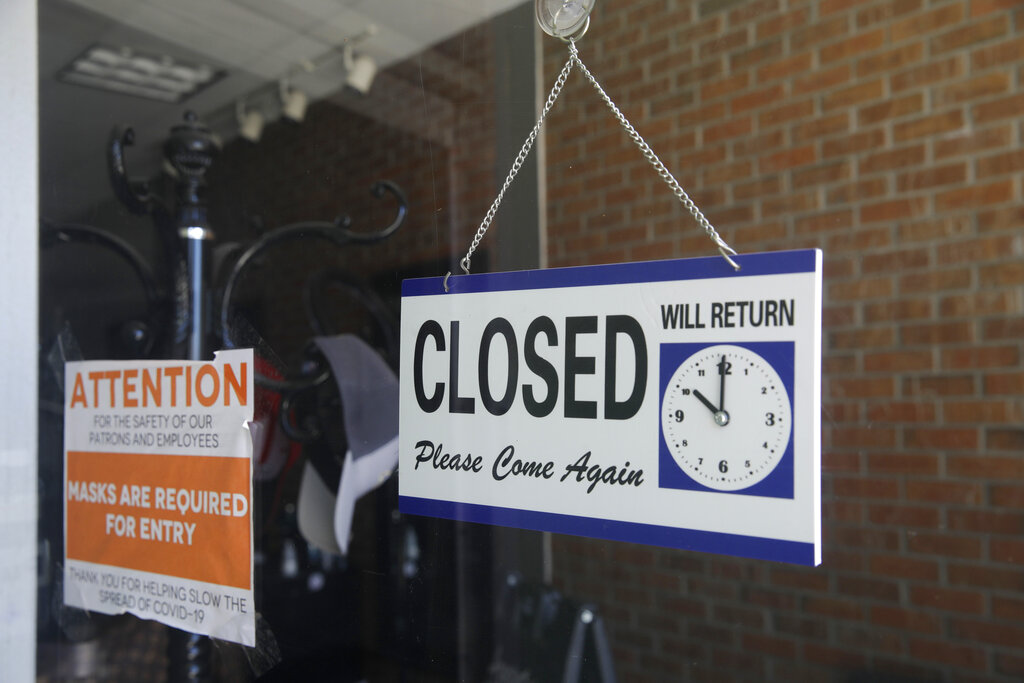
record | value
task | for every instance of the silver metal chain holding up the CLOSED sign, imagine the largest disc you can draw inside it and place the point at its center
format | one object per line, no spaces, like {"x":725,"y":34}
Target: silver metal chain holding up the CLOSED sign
{"x":649,"y":154}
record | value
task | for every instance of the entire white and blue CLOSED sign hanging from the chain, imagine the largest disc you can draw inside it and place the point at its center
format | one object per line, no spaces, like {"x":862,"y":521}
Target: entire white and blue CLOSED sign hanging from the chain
{"x":672,"y":403}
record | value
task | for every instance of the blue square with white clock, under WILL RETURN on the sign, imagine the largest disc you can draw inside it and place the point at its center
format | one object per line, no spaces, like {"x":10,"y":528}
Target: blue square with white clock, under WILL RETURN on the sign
{"x":727,"y":418}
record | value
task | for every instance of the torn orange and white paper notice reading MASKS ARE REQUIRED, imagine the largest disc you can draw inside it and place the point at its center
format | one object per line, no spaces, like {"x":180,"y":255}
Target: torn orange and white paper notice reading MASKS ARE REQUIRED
{"x":158,"y":492}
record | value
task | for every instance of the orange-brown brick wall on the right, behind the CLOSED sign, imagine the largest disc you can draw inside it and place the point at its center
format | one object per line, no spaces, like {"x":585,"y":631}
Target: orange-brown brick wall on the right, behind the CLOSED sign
{"x":889,"y":135}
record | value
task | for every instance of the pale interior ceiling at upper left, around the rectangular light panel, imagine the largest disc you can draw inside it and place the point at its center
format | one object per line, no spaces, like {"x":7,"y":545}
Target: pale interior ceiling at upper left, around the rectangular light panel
{"x":254,"y":42}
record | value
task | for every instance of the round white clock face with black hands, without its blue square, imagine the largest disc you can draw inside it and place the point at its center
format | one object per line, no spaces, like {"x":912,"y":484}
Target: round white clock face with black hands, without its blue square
{"x":727,"y":417}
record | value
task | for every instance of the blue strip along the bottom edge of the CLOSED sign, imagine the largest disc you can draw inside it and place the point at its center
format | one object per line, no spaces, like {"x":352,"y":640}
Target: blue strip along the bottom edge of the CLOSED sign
{"x":794,"y":552}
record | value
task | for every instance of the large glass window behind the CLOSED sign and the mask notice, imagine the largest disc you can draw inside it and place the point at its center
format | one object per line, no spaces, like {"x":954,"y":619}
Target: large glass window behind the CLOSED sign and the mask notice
{"x":243,"y":175}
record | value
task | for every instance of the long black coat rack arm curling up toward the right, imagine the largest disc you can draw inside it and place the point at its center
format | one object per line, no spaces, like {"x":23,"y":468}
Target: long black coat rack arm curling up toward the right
{"x":336,"y":233}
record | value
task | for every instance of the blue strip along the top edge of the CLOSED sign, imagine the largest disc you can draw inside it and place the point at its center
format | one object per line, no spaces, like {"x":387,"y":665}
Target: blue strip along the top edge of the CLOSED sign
{"x":772,"y":264}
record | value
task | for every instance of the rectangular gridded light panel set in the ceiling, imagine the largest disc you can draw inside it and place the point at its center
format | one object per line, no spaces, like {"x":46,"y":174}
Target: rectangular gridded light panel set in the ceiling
{"x":133,"y":73}
